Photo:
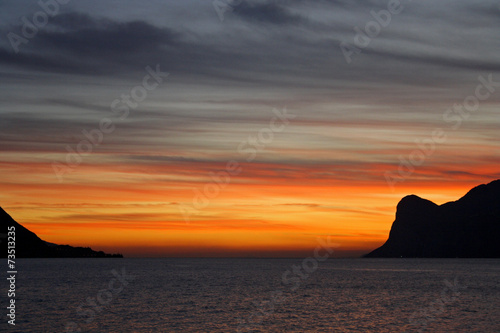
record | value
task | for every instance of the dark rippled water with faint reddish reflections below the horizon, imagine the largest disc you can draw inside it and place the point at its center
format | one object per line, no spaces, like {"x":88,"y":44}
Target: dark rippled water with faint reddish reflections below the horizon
{"x":248,"y":295}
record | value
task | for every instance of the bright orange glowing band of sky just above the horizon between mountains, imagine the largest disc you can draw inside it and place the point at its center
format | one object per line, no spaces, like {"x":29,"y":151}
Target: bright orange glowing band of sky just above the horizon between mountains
{"x":245,"y":219}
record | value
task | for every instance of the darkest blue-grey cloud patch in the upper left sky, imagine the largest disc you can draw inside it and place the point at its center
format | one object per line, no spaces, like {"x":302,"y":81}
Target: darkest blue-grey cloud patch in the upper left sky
{"x":81,"y":44}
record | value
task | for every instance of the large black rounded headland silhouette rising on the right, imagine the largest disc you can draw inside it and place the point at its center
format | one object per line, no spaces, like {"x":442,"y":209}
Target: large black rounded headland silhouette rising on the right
{"x":466,"y":228}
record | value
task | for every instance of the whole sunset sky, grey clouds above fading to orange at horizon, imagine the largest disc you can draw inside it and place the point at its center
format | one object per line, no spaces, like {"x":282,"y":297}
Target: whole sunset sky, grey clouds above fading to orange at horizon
{"x":241,"y":128}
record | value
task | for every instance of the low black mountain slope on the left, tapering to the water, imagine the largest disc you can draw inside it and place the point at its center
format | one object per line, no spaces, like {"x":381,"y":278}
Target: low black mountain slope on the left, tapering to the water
{"x":29,"y":245}
